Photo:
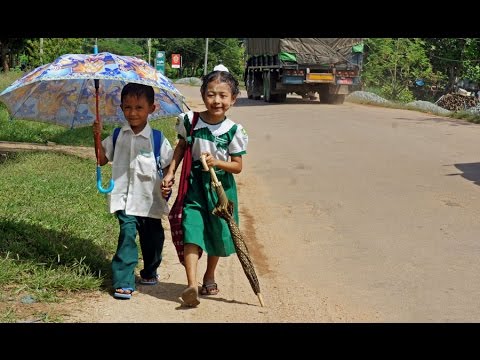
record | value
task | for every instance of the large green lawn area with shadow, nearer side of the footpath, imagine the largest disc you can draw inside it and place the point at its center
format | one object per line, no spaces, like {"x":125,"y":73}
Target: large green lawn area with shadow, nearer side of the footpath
{"x":56,"y":236}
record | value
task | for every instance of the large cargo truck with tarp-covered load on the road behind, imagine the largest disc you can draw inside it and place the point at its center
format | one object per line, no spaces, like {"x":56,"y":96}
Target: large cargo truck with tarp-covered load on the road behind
{"x":276,"y":67}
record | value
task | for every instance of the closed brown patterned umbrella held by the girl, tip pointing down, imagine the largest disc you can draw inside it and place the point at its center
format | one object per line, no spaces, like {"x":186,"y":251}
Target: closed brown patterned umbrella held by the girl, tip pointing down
{"x":224,"y":209}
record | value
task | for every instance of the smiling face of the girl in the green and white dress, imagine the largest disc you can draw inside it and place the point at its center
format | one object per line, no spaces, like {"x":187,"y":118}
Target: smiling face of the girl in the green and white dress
{"x":218,"y":99}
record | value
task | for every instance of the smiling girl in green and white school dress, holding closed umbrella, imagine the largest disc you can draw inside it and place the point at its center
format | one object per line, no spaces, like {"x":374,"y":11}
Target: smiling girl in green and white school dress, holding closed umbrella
{"x":223,"y":143}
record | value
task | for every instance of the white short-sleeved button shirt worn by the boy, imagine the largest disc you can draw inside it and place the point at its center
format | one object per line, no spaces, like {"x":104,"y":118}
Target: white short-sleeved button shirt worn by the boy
{"x":137,"y":184}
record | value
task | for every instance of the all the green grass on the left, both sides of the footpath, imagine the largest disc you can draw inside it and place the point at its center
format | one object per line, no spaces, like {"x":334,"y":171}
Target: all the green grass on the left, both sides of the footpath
{"x":57,"y":237}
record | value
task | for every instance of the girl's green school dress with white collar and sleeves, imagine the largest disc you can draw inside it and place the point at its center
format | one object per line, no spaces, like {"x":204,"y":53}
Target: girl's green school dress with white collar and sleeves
{"x":200,"y":226}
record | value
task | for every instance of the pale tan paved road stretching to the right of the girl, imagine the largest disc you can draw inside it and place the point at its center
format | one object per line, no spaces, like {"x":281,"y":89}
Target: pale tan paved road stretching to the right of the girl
{"x":376,"y":208}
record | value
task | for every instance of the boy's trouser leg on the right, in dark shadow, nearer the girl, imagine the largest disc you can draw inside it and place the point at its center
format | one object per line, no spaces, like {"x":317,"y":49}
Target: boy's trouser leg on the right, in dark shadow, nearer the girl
{"x":152,"y":237}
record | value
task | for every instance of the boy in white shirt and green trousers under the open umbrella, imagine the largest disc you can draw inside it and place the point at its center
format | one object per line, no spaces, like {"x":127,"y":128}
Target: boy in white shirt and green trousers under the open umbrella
{"x":138,"y":198}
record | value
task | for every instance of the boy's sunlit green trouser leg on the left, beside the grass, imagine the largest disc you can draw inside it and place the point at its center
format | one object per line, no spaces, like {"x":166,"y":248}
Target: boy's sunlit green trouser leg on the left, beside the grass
{"x":126,"y":257}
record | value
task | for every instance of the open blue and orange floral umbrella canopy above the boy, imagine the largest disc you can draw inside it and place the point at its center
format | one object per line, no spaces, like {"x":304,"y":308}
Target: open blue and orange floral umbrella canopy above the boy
{"x":63,"y":92}
